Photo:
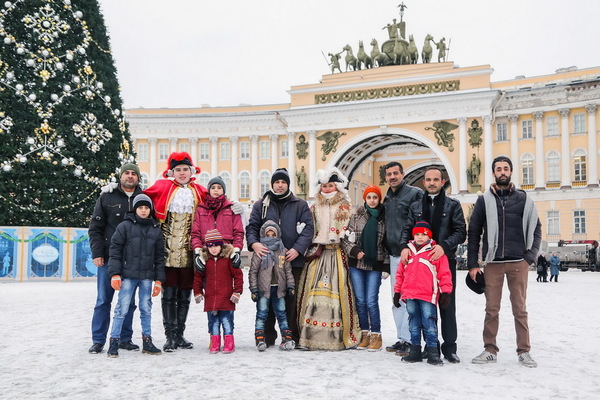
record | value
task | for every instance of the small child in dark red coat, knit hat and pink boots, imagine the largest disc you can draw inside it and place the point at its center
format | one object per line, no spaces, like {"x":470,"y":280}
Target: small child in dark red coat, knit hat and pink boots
{"x":220,"y":286}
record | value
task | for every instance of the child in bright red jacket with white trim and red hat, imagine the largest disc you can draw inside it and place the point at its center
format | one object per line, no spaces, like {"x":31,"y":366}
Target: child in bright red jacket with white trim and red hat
{"x":420,"y":284}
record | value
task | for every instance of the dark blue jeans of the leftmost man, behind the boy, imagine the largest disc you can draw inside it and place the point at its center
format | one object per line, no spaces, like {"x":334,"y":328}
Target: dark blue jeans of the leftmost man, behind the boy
{"x":101,"y":318}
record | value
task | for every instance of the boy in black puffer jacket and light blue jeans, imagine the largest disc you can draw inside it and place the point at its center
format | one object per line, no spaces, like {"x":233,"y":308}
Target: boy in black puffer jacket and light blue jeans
{"x":136,"y":261}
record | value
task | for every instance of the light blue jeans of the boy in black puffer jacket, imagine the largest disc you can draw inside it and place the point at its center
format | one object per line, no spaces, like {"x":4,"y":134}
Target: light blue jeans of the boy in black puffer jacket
{"x":126,"y":296}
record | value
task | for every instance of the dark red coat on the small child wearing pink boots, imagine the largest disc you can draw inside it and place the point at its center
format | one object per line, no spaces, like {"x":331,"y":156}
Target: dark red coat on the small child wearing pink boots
{"x":219,"y":280}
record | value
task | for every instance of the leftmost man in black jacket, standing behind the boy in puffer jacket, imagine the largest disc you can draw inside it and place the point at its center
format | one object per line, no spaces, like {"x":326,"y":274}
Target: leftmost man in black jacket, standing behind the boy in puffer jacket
{"x":109,"y":212}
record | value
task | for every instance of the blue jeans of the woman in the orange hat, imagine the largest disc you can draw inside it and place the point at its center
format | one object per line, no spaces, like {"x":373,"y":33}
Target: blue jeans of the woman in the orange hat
{"x":366,"y":290}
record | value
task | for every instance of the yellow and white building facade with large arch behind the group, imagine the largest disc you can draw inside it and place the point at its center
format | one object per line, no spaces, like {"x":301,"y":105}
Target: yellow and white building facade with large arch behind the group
{"x":420,"y":115}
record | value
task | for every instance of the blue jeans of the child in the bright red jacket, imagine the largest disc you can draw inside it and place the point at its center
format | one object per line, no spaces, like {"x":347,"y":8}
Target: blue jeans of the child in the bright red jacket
{"x":422,"y":314}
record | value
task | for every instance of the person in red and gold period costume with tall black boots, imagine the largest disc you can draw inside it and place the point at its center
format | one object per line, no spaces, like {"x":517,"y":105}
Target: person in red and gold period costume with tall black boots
{"x":175,"y":201}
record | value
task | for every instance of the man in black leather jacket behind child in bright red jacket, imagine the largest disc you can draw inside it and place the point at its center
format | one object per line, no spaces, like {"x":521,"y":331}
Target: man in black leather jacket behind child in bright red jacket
{"x":445,"y":215}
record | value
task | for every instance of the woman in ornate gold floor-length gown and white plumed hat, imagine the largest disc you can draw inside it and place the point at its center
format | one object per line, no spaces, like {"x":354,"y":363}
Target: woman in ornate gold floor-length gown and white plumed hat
{"x":327,"y":317}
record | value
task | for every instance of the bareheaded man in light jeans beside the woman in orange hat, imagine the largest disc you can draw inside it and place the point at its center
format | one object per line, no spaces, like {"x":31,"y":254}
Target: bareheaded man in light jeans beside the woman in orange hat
{"x":397,"y":200}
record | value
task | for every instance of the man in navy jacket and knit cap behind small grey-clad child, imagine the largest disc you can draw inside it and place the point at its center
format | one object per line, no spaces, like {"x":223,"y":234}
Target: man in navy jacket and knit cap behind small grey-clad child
{"x":293,"y":216}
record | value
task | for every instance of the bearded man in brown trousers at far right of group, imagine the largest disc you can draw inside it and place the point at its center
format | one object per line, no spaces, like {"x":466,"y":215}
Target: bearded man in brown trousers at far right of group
{"x":511,"y":230}
